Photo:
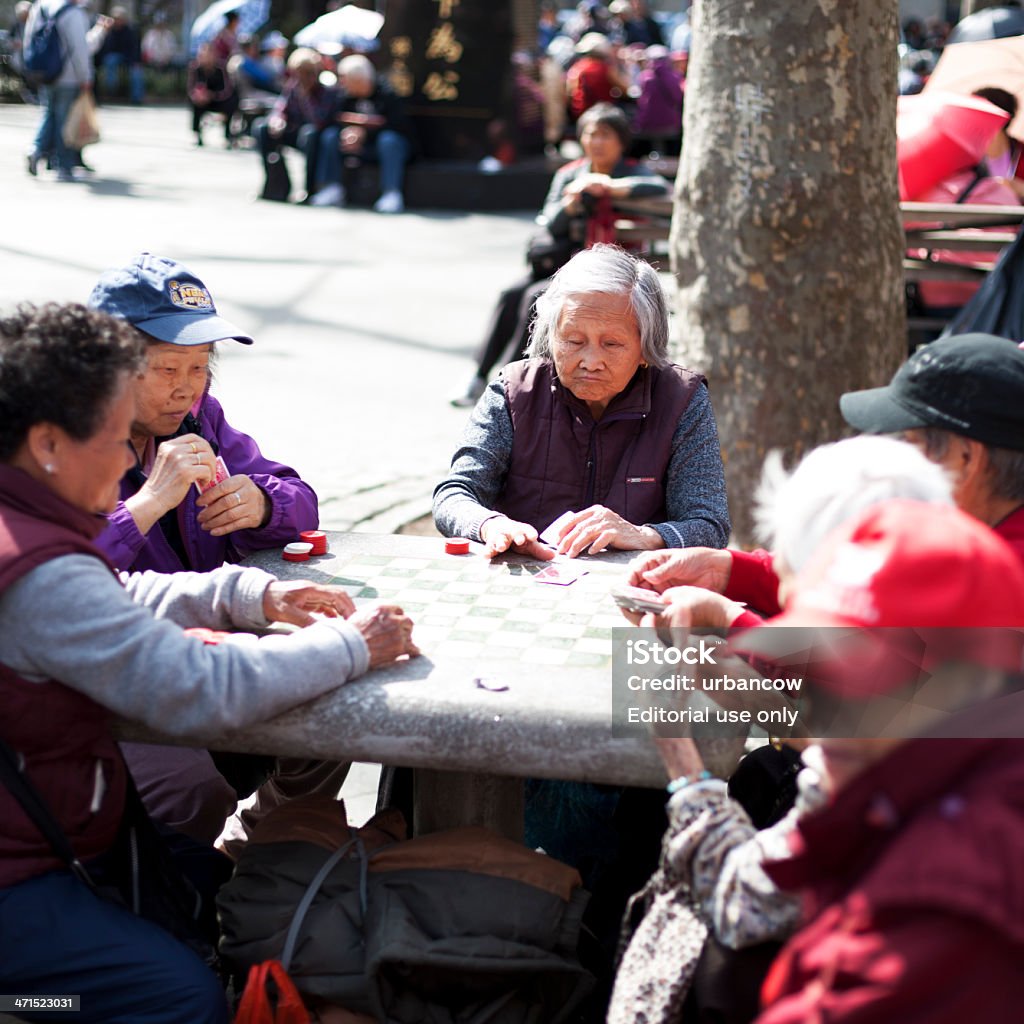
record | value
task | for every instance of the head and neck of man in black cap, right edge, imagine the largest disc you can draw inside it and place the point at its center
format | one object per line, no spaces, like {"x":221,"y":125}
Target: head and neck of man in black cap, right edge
{"x":961,"y":400}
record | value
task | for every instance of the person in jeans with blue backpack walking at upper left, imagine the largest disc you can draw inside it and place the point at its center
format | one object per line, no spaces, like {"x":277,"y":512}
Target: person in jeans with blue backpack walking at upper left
{"x":58,"y":97}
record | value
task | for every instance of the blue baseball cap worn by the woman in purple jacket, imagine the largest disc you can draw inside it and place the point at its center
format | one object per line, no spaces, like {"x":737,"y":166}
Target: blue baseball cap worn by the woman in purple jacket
{"x":163,"y":300}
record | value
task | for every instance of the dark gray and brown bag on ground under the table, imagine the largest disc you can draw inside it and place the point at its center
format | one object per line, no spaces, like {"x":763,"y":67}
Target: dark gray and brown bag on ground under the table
{"x":458,"y":927}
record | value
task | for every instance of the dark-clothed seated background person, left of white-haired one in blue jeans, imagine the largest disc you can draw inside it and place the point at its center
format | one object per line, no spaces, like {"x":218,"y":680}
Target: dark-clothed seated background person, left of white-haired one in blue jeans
{"x":305,"y":109}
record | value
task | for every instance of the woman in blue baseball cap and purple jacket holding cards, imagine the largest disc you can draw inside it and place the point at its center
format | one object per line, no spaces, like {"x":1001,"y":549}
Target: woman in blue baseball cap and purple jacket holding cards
{"x":201,"y":493}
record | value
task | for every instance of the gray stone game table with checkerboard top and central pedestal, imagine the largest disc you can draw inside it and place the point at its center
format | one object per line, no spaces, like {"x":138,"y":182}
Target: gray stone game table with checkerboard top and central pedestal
{"x":515,"y":680}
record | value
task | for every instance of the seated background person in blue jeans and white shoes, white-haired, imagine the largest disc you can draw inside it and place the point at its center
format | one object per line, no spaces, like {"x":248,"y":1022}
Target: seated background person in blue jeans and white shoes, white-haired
{"x":371,"y":125}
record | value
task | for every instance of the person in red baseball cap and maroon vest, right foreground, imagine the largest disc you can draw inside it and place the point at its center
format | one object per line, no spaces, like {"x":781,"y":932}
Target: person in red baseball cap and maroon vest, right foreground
{"x":891,"y":842}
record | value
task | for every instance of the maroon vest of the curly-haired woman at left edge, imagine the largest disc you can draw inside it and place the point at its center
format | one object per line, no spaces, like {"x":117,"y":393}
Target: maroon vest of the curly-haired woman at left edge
{"x":64,"y":736}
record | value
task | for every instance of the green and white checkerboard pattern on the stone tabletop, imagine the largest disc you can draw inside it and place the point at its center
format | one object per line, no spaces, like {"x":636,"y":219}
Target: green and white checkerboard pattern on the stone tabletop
{"x":467,"y":608}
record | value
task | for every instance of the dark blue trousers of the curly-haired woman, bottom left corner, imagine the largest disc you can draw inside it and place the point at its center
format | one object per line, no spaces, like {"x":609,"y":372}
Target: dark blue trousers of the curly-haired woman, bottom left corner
{"x":60,"y":938}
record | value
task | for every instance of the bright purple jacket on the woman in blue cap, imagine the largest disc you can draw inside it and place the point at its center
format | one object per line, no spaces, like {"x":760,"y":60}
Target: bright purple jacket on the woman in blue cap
{"x":293,"y":506}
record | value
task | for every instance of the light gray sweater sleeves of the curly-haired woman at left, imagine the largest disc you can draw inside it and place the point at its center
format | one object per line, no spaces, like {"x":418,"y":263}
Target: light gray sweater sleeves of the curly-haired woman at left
{"x":70,"y":620}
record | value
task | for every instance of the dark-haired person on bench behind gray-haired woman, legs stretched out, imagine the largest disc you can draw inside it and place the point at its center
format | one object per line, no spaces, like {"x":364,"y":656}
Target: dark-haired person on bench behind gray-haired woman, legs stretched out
{"x":576,"y":191}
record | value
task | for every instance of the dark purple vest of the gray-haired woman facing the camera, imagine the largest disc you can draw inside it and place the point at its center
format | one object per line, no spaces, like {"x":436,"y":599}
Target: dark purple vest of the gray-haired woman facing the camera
{"x":563,"y":459}
